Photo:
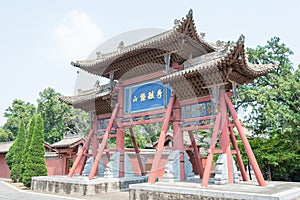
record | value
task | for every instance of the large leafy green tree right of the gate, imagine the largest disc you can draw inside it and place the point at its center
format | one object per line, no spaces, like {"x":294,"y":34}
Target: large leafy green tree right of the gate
{"x":274,"y":100}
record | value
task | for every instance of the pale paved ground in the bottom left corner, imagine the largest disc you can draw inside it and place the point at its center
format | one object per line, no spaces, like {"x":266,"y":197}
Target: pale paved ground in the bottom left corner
{"x":10,"y":191}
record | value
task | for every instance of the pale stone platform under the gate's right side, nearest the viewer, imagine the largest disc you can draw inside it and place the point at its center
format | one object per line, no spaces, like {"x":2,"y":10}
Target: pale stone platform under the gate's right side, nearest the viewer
{"x":193,"y":190}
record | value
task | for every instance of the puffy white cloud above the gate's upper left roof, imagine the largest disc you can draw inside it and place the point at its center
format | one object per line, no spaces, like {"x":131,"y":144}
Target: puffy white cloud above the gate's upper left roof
{"x":75,"y":37}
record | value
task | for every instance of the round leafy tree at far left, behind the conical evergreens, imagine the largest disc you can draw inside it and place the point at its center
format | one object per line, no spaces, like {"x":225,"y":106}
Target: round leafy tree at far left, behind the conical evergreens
{"x":18,"y":110}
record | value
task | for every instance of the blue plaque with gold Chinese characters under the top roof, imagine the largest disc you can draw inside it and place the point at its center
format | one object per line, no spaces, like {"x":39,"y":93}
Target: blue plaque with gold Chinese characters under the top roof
{"x":147,"y":96}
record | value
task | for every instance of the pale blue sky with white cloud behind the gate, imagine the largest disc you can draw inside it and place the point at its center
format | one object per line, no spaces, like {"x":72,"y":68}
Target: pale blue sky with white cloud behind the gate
{"x":39,"y":38}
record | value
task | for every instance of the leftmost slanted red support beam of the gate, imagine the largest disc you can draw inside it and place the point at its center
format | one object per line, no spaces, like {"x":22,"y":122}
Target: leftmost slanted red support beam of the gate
{"x":84,"y":149}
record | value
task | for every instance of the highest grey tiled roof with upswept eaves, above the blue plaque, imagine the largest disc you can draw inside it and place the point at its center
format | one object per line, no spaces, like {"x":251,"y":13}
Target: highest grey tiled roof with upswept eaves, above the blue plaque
{"x":184,"y":30}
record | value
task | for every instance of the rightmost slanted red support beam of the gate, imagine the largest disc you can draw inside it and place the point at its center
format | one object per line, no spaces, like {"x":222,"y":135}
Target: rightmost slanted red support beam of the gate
{"x":245,"y":142}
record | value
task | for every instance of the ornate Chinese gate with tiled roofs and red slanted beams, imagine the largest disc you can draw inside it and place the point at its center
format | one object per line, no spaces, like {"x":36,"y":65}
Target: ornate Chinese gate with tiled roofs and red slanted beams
{"x":175,"y":78}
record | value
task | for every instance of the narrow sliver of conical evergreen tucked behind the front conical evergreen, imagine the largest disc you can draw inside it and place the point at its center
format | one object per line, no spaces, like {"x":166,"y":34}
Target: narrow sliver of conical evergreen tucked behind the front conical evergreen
{"x":30,"y":131}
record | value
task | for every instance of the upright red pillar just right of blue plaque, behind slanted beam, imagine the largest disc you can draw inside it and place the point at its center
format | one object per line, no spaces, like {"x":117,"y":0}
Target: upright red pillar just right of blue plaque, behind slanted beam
{"x":178,"y":140}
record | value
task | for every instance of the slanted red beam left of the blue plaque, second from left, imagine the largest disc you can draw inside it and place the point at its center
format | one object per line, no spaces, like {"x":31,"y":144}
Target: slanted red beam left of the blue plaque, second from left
{"x":103,"y":143}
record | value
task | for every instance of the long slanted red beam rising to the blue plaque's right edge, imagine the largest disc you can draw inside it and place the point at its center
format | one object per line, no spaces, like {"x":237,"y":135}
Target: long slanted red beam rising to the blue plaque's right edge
{"x":161,"y":141}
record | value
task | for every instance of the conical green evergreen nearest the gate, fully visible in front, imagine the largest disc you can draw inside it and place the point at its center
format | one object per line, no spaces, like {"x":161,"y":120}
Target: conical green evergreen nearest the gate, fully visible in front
{"x":35,"y":163}
